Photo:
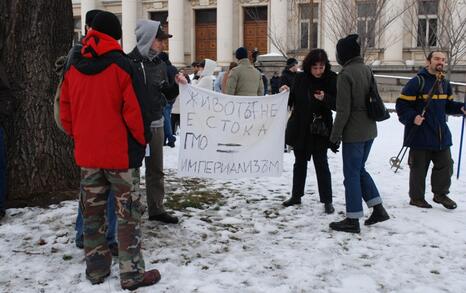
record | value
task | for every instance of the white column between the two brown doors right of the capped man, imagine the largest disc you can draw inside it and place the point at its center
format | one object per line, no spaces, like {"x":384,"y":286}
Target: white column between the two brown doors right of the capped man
{"x":224,"y":32}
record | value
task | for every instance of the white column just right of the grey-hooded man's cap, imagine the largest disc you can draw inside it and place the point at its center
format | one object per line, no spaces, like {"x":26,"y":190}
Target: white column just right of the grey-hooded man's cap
{"x":176,"y":28}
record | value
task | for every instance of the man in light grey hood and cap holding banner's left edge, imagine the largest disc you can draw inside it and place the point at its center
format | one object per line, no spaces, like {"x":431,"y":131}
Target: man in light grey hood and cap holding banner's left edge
{"x":153,"y":71}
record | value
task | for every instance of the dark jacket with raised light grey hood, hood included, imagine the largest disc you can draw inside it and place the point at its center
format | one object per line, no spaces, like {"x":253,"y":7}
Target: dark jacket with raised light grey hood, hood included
{"x":152,"y":71}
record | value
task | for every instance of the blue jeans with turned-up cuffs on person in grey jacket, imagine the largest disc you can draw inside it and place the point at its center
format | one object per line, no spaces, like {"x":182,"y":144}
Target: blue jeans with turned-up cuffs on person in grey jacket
{"x":358,"y":183}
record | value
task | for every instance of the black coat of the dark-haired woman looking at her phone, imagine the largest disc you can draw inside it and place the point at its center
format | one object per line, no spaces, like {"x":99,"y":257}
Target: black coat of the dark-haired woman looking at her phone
{"x":305,"y":106}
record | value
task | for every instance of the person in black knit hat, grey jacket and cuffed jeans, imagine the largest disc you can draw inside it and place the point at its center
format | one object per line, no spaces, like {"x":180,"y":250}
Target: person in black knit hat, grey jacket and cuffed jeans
{"x":357,"y":131}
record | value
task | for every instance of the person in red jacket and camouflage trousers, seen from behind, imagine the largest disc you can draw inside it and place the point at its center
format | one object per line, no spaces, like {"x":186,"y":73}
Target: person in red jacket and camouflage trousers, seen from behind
{"x":100,"y":110}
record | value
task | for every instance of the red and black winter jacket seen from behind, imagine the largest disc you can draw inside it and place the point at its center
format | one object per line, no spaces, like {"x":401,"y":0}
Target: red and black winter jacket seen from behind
{"x":99,"y":106}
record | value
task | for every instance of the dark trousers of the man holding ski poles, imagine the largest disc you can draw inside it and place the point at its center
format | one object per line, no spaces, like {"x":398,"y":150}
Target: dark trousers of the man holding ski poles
{"x":419,"y":161}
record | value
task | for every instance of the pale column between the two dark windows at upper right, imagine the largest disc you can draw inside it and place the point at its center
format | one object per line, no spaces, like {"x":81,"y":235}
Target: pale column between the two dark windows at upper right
{"x":393,"y":38}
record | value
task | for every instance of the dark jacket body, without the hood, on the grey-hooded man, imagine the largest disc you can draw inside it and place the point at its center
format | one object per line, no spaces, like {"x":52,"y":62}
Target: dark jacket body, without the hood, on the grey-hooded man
{"x":153,"y":73}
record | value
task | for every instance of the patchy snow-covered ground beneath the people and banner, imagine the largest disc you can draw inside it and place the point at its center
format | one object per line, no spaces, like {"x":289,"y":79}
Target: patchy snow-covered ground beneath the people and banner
{"x":245,"y":241}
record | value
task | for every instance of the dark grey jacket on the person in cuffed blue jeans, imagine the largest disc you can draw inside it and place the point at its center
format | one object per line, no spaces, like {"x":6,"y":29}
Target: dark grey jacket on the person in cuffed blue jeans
{"x":352,"y":124}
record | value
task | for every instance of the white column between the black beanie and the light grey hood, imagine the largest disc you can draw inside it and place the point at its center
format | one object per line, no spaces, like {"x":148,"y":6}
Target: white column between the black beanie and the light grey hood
{"x":129,"y":17}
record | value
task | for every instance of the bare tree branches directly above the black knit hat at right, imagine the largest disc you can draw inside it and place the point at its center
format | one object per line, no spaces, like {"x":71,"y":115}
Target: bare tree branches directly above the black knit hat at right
{"x":370,"y":19}
